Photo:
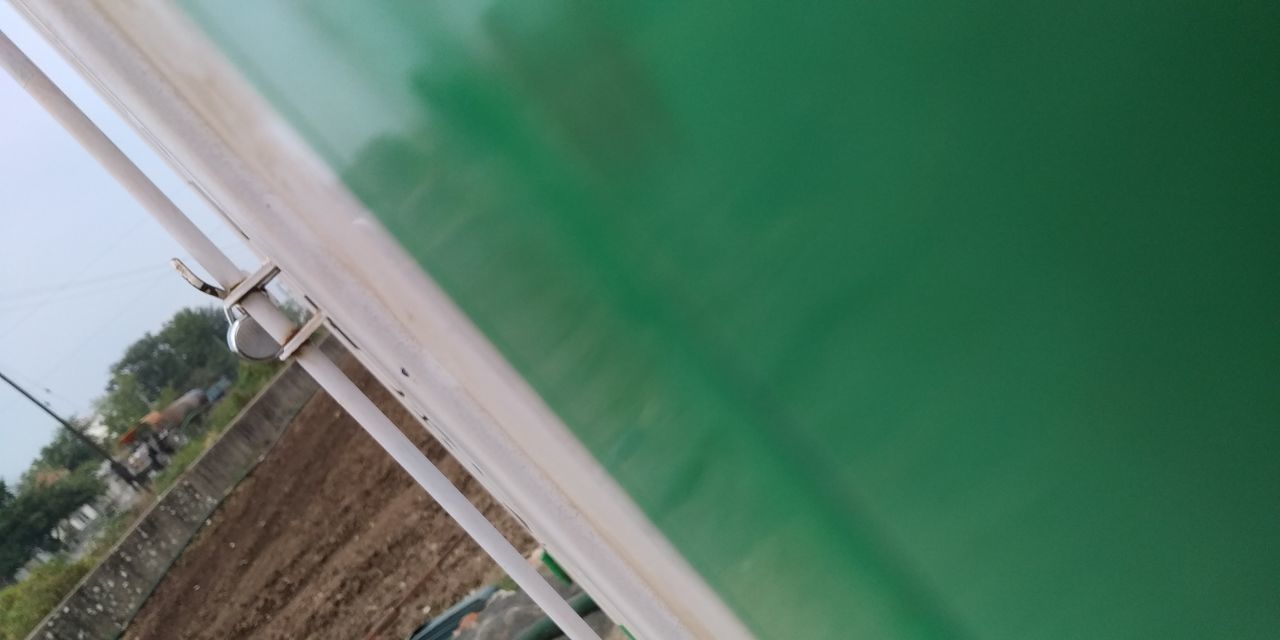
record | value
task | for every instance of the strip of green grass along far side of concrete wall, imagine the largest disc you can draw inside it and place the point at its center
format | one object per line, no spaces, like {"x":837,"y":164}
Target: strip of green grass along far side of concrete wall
{"x":26,"y":604}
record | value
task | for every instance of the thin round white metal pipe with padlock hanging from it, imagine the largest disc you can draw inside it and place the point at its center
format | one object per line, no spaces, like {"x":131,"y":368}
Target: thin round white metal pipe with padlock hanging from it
{"x":276,"y":323}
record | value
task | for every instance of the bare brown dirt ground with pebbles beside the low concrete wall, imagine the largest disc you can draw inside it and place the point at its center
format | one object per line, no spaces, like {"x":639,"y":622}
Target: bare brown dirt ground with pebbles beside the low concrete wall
{"x":324,"y":540}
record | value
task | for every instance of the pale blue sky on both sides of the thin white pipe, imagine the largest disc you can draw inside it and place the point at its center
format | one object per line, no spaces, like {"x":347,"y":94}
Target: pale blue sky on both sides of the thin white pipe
{"x":84,"y":269}
